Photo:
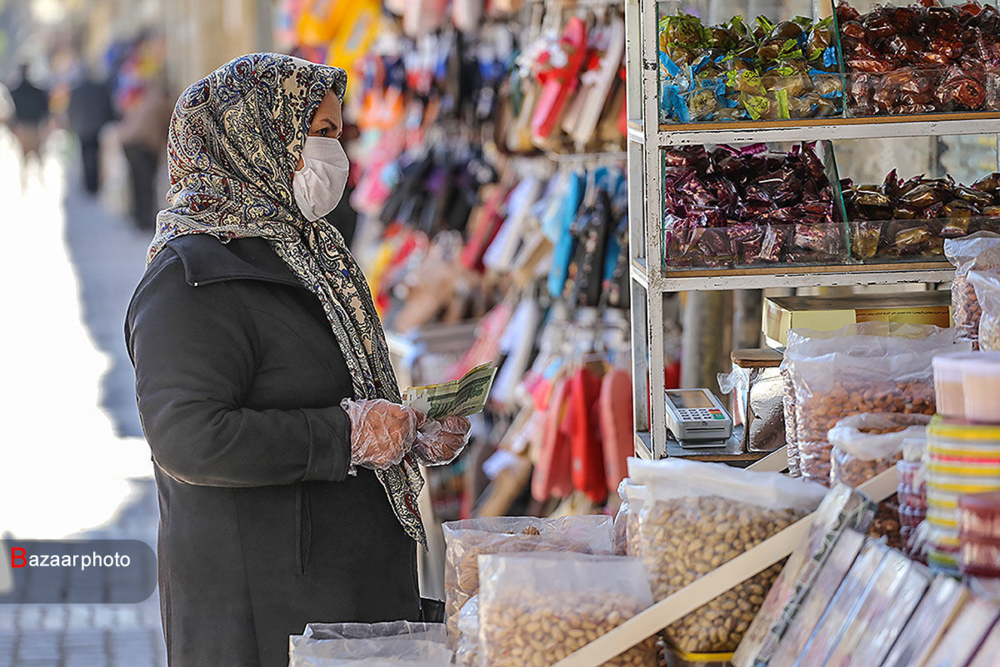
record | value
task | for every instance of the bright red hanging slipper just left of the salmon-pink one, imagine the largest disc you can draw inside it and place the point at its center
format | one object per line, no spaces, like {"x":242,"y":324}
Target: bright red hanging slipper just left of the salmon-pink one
{"x":585,"y":435}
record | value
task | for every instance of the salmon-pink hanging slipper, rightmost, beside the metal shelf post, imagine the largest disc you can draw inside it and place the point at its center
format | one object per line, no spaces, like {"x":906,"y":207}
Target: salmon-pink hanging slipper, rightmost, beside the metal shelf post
{"x":615,"y":411}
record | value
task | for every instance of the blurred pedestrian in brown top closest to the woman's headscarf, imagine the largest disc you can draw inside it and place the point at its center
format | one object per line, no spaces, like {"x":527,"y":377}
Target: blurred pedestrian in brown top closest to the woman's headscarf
{"x":143,"y":134}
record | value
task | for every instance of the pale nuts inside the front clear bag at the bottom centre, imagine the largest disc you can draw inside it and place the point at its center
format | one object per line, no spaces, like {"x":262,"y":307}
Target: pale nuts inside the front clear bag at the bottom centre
{"x":528,"y":629}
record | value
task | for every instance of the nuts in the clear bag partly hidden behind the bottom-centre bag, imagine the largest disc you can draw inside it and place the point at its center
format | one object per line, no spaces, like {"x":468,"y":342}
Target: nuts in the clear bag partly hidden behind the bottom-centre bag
{"x":461,"y":578}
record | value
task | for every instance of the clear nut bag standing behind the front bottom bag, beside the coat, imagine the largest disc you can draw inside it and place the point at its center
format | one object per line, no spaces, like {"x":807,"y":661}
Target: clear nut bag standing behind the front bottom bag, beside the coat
{"x":465,"y":540}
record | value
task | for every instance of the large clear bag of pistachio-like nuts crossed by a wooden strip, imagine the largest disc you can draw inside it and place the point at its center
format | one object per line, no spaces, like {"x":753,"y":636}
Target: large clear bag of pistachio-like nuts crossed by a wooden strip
{"x":696,"y":517}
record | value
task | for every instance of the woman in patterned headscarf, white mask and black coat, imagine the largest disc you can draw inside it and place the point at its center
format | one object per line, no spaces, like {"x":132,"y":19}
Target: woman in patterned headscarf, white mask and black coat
{"x":285,"y":466}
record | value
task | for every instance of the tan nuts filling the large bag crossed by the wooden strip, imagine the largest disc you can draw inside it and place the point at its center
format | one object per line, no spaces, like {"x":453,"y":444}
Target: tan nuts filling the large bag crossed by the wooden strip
{"x":686,"y":538}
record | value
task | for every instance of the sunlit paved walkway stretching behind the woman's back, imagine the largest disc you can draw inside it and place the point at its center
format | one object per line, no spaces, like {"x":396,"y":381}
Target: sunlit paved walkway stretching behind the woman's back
{"x":72,"y":460}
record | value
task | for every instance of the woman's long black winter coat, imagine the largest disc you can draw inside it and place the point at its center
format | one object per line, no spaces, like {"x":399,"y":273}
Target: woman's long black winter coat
{"x":262,"y":530}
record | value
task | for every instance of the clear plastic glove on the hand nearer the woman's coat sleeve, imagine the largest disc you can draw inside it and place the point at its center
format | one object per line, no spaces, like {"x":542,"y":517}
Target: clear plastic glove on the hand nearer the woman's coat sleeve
{"x":382,"y":432}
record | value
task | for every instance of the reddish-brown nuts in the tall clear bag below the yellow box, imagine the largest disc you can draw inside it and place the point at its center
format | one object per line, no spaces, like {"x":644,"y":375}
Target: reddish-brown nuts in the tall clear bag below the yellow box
{"x":819,"y":412}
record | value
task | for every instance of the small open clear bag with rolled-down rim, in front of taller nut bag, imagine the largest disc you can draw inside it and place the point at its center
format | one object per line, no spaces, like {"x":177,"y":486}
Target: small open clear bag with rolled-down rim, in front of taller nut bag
{"x":867,"y":444}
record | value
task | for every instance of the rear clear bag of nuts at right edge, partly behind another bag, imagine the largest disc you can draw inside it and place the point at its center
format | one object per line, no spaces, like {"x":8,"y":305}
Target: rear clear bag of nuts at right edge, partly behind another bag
{"x":975,"y":251}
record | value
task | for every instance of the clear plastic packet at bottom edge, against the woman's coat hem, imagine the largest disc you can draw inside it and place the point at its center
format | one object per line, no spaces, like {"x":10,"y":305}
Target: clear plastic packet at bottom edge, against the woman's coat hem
{"x":370,"y":645}
